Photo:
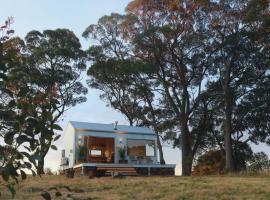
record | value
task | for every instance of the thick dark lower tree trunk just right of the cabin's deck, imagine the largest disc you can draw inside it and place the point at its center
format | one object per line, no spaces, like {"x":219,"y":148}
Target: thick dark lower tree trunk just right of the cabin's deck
{"x":187,"y":157}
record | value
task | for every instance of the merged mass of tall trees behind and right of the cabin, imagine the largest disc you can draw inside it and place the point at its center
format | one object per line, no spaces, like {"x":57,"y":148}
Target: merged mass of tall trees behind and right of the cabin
{"x":191,"y":69}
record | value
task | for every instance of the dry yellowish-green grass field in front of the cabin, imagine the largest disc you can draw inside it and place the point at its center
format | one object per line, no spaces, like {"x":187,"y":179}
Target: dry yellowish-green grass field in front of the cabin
{"x":167,"y":188}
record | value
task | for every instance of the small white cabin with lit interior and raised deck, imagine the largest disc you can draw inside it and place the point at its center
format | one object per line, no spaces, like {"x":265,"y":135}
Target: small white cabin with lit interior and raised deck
{"x":94,"y":144}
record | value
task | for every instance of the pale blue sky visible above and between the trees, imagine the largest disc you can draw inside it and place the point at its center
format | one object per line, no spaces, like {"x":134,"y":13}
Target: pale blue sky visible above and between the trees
{"x":75,"y":15}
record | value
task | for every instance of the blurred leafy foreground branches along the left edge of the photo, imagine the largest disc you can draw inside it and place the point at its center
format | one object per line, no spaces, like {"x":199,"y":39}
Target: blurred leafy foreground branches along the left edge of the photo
{"x":22,"y":118}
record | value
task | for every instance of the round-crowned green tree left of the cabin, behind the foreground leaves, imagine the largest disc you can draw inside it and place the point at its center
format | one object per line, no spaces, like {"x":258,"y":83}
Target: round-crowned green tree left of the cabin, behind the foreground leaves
{"x":49,"y":75}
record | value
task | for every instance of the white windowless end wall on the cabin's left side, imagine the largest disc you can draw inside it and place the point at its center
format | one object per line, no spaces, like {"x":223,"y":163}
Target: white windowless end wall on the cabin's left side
{"x":69,"y":141}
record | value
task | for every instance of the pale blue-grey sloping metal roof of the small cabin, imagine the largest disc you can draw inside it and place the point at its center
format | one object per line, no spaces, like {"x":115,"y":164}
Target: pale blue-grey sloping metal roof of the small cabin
{"x":99,"y":127}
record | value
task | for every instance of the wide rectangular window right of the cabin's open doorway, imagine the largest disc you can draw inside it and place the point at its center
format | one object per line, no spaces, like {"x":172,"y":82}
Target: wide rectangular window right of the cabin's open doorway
{"x":140,"y":147}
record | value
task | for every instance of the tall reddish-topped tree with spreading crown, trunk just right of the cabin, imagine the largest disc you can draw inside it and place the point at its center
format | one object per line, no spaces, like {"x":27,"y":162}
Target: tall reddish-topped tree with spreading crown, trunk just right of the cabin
{"x":165,"y":89}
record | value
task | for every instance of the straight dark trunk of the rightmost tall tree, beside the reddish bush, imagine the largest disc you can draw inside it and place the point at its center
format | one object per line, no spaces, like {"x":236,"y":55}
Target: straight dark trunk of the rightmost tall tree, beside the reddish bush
{"x":228,"y":130}
